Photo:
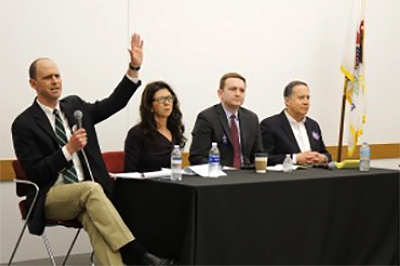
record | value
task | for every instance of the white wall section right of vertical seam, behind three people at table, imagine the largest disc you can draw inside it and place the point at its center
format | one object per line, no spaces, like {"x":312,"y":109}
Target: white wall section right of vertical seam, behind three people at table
{"x":193,"y":43}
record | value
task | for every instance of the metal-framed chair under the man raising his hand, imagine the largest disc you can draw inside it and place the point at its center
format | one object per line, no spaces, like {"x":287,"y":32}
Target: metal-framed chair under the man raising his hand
{"x":22,"y":187}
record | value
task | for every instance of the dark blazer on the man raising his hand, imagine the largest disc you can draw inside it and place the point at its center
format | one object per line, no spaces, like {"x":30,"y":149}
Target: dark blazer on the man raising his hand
{"x":42,"y":159}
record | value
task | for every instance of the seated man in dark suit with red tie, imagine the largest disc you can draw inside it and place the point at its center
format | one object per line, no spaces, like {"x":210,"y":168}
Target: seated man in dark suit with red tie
{"x":234,"y":128}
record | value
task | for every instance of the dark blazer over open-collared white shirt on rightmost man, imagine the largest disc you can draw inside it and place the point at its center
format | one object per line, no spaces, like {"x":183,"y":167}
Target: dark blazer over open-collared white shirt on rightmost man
{"x":279,"y":140}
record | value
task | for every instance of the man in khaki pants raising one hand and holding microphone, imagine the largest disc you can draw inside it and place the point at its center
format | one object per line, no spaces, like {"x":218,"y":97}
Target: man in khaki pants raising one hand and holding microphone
{"x":52,"y":151}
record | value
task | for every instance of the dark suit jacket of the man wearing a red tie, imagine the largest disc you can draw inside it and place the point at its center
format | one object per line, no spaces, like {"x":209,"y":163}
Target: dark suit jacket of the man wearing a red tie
{"x":212,"y":126}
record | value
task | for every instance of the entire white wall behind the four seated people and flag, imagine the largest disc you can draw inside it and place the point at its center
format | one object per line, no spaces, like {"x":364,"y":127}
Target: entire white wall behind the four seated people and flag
{"x":190,"y":44}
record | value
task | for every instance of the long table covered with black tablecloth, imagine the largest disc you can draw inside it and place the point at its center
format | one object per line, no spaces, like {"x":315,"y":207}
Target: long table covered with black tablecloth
{"x":306,"y":217}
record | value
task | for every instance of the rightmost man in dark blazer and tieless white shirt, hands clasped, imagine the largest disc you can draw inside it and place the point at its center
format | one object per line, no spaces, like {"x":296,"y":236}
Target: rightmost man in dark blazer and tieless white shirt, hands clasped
{"x":292,"y":132}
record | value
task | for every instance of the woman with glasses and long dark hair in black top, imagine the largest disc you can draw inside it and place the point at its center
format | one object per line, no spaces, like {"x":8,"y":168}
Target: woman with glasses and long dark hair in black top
{"x":149,"y":144}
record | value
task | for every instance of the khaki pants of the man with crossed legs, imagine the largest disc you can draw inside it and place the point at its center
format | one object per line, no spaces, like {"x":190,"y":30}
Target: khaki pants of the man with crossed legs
{"x":87,"y":202}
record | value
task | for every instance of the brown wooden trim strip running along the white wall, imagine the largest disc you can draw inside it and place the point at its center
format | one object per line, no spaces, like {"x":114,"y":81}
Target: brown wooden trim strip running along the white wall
{"x":378,"y":151}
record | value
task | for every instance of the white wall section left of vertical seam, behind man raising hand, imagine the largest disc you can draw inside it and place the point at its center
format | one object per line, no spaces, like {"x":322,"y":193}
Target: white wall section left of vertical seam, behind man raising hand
{"x":89,"y":41}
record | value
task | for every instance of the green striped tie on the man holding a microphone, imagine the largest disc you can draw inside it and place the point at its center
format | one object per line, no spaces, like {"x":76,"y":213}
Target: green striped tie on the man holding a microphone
{"x":69,"y":173}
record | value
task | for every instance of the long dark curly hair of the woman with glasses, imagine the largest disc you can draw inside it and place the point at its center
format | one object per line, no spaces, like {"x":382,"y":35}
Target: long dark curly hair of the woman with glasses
{"x":148,"y":122}
